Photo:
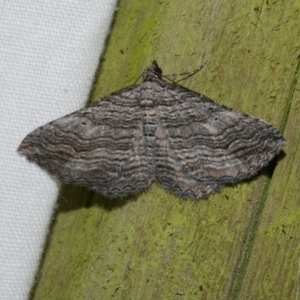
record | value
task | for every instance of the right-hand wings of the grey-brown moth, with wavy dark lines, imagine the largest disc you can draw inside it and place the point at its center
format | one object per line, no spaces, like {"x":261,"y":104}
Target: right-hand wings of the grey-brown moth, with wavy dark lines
{"x":203,"y":145}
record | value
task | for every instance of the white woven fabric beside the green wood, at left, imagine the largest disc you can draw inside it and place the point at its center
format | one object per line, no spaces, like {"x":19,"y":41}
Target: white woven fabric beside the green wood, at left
{"x":48,"y":56}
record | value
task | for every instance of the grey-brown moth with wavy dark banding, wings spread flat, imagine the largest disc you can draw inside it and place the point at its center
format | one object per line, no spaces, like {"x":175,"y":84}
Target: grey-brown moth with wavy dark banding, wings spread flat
{"x":153,"y":131}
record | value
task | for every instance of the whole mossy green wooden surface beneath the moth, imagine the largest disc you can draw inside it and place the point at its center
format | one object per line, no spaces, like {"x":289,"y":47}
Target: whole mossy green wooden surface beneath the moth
{"x":240,"y":243}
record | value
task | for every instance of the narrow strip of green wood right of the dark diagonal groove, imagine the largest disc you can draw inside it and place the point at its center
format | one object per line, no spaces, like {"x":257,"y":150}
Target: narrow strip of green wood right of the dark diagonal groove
{"x":274,"y":265}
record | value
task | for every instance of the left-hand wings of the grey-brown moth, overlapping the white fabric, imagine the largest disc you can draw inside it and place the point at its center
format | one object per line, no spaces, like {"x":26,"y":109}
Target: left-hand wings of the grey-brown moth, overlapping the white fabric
{"x":99,"y":146}
